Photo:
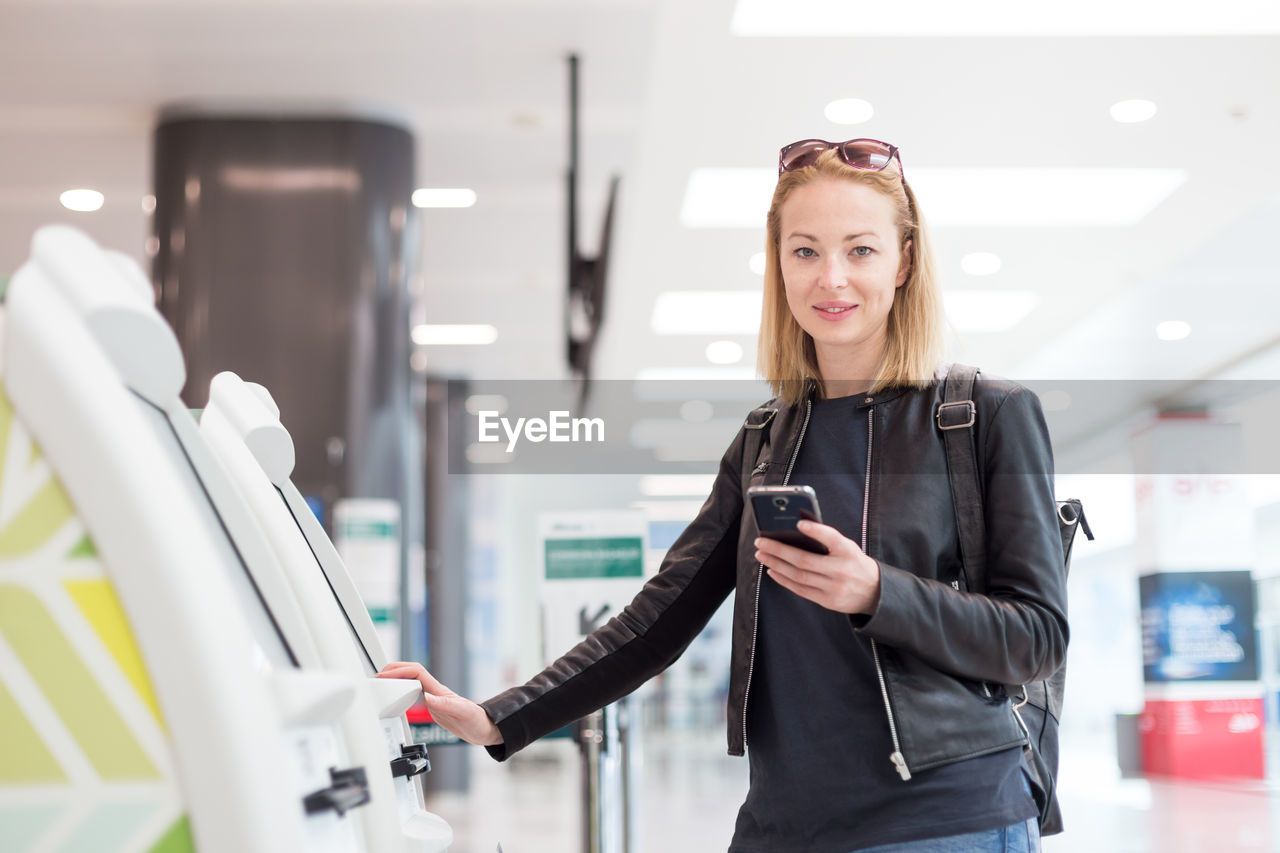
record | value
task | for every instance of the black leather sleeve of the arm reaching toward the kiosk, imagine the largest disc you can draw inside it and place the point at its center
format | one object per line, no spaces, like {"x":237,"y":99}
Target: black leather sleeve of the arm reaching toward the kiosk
{"x":647,"y":637}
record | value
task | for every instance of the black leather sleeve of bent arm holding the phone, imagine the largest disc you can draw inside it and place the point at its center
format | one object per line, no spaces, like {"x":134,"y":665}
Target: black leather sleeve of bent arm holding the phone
{"x":1017,"y":632}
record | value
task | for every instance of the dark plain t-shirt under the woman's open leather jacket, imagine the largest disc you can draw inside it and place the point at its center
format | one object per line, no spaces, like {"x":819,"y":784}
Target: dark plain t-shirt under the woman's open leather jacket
{"x":819,"y":738}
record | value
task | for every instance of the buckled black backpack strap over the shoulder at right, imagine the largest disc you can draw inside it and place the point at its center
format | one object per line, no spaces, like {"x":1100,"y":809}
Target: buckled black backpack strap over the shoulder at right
{"x":956,"y":418}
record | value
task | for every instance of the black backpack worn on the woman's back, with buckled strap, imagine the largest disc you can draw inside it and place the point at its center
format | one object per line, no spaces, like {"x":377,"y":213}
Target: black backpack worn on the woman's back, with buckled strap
{"x":1040,"y":705}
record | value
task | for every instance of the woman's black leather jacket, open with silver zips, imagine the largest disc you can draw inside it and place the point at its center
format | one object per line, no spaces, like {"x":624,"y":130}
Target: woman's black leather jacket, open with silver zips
{"x":943,"y":653}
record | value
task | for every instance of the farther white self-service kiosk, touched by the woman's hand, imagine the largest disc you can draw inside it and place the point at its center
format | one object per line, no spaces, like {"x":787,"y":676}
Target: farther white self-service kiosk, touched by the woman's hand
{"x":243,"y":425}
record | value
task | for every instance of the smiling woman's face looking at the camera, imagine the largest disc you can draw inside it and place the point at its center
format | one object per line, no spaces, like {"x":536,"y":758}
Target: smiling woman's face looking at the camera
{"x":842,"y":264}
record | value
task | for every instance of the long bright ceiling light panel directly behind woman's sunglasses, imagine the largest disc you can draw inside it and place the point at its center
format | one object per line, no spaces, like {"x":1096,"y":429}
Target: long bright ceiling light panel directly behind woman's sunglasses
{"x":1013,"y":198}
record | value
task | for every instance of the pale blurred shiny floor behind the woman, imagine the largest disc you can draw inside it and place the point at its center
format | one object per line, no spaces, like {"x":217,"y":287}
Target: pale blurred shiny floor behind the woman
{"x":692,"y":791}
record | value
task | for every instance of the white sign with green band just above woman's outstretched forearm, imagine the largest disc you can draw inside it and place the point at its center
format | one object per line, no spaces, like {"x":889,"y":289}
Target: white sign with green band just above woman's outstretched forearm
{"x":592,"y":567}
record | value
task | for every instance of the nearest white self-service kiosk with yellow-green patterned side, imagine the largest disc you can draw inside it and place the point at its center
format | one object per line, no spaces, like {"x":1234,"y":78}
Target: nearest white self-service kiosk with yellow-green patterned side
{"x":161,"y":688}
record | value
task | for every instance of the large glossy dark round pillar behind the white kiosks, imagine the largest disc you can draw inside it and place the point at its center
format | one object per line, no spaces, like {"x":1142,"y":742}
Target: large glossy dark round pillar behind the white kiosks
{"x":284,"y":249}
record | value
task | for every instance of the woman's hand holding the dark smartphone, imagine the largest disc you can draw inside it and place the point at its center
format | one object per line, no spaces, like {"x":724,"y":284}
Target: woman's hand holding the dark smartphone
{"x":845,"y":580}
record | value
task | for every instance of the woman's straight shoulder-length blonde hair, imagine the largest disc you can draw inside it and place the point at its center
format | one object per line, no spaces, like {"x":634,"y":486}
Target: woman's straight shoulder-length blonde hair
{"x":913,"y":346}
